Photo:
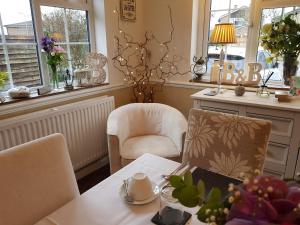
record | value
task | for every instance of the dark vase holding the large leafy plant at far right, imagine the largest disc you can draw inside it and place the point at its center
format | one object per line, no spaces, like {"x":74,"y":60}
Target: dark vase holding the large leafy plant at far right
{"x":290,"y":67}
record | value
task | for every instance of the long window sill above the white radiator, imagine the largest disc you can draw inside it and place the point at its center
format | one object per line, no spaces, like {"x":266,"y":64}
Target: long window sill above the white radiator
{"x":12,"y":106}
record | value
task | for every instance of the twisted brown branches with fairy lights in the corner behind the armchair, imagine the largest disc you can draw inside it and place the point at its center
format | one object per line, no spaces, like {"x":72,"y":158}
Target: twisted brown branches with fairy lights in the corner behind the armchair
{"x":134,"y":60}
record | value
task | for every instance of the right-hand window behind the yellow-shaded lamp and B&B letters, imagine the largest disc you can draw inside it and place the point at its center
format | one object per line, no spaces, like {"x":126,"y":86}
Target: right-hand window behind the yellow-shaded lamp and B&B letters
{"x":248,"y":16}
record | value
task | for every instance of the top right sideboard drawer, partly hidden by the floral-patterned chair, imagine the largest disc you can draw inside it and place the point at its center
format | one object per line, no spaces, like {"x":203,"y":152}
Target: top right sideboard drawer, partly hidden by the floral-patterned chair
{"x":282,"y":128}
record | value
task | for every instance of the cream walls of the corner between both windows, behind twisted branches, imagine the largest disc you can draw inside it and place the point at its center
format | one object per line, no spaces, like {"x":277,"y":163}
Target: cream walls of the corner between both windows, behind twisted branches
{"x":151,"y":15}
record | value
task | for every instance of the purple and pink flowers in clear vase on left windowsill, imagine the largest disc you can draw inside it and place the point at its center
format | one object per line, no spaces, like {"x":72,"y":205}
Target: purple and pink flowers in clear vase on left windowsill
{"x":55,"y":56}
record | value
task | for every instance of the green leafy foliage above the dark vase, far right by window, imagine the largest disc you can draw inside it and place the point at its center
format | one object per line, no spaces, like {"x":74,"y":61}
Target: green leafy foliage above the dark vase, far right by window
{"x":281,"y":37}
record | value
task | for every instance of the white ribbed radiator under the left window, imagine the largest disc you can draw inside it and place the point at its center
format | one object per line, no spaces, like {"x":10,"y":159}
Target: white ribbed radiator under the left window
{"x":83,"y":124}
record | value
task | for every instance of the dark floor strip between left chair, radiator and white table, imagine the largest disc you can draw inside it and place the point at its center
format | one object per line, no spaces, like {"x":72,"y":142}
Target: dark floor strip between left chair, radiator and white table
{"x":92,"y":179}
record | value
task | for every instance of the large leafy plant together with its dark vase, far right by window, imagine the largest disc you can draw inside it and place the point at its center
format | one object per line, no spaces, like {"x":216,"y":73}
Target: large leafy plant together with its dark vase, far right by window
{"x":281,"y":39}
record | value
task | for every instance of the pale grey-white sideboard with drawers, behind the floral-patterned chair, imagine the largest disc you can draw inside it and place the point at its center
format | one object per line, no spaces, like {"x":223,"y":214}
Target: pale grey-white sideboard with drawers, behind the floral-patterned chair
{"x":283,"y":157}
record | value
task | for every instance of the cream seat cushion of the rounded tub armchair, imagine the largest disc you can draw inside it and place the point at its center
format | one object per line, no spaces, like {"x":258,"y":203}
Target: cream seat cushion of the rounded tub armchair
{"x":156,"y":144}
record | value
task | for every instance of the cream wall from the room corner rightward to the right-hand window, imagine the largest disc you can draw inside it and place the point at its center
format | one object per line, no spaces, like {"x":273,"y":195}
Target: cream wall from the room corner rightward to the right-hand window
{"x":157,"y":20}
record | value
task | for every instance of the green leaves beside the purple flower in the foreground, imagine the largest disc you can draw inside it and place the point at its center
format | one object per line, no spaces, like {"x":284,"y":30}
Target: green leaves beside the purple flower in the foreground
{"x":191,"y":195}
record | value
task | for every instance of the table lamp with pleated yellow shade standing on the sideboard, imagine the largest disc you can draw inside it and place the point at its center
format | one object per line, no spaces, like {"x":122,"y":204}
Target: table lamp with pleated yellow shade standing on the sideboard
{"x":222,"y":34}
